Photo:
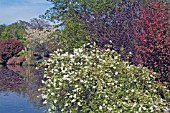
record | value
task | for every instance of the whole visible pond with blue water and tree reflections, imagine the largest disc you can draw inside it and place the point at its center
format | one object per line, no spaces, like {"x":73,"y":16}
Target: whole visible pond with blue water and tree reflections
{"x":19,"y":90}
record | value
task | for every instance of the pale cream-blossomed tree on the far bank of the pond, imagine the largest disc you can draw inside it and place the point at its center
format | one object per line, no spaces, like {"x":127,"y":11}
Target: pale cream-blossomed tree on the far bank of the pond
{"x":40,"y":41}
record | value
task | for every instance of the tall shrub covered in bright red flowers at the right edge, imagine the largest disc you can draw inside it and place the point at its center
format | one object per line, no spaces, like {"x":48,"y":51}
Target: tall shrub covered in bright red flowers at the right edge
{"x":153,"y":34}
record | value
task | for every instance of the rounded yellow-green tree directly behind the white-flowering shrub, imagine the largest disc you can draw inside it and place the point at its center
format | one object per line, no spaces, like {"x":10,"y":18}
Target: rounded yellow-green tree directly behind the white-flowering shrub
{"x":74,"y":34}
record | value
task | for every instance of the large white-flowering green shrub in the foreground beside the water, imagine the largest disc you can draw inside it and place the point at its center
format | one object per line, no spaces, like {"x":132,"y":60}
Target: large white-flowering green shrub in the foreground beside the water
{"x":97,"y":81}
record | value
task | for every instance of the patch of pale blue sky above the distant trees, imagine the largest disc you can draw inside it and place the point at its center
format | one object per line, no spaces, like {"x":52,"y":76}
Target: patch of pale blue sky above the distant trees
{"x":13,"y":10}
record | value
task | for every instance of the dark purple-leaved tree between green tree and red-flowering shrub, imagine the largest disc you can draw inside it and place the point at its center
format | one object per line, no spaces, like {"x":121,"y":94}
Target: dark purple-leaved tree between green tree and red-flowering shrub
{"x":116,"y":25}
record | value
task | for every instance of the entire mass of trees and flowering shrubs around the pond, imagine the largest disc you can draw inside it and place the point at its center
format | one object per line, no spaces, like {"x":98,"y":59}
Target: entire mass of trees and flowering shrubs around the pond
{"x":110,"y":56}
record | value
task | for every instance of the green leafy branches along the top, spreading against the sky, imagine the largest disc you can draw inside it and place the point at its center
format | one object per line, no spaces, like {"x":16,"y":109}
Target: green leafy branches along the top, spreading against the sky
{"x":65,"y":9}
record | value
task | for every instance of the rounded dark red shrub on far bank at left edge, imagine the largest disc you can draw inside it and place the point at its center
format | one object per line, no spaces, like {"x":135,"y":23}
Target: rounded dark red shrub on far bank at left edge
{"x":9,"y":48}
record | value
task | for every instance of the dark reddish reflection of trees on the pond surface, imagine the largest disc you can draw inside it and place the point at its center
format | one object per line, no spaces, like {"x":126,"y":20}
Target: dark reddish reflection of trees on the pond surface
{"x":23,"y":80}
